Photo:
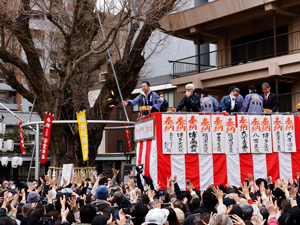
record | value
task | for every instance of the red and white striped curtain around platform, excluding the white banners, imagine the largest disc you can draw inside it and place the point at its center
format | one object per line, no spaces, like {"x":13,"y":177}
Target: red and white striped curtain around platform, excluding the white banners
{"x":203,"y":170}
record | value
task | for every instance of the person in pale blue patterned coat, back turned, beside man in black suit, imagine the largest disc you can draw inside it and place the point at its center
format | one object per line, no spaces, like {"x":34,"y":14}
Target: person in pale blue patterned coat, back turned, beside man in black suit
{"x":253,"y":102}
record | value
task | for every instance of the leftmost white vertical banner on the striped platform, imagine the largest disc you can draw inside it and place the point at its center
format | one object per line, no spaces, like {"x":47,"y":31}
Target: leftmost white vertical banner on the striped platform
{"x":168,"y":134}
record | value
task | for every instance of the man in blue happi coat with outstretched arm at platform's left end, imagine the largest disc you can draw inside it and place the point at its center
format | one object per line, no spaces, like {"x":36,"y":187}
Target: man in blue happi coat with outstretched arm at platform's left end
{"x":146,"y":98}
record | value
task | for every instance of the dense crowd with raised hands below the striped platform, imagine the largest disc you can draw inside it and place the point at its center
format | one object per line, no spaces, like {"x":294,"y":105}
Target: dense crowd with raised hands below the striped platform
{"x":109,"y":201}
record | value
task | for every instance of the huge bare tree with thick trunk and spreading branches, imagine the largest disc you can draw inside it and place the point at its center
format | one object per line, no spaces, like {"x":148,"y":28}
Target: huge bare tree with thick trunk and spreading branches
{"x":69,"y":32}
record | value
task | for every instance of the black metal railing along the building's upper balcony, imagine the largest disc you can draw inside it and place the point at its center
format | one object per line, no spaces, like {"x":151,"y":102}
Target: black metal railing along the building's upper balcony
{"x":239,"y":54}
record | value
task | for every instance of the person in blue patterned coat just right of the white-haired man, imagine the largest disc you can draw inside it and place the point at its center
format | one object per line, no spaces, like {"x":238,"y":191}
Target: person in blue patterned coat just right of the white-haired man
{"x":207,"y":103}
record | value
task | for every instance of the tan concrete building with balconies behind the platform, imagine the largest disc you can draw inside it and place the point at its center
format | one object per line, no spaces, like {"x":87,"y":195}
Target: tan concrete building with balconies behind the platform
{"x":257,"y":41}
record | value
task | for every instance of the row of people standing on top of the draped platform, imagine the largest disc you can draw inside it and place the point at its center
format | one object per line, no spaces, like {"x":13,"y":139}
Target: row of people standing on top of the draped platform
{"x":234,"y":102}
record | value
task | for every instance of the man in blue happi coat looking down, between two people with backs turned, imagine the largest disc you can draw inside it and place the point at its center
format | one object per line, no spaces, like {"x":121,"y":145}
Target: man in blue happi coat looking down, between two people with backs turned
{"x":229,"y":103}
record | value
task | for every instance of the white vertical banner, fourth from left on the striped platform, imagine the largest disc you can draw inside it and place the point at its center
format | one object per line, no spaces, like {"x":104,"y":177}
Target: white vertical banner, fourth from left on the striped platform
{"x":205,"y":134}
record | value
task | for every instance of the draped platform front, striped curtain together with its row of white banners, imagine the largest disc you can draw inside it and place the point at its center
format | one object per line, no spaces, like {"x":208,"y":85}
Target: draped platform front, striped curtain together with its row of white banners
{"x":162,"y":160}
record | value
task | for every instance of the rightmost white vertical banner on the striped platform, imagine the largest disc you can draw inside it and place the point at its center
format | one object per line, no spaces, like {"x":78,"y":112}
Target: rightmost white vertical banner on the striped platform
{"x":289,"y":133}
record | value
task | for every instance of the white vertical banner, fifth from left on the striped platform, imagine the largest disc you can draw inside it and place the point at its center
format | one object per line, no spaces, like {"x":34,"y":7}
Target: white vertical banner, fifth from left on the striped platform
{"x":218,"y":135}
